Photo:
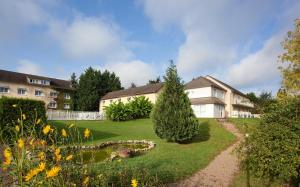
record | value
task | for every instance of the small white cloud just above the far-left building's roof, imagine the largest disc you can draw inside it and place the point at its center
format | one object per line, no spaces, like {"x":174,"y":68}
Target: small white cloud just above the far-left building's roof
{"x":29,"y":67}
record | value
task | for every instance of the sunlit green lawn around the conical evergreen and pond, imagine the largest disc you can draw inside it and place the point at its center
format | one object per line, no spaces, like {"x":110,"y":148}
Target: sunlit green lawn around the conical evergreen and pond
{"x":169,"y":161}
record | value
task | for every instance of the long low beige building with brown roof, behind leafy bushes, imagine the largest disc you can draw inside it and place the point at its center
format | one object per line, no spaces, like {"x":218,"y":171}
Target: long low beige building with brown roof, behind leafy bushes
{"x":149,"y":91}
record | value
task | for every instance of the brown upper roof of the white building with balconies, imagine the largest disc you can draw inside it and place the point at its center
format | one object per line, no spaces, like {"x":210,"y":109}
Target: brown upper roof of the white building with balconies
{"x":201,"y":82}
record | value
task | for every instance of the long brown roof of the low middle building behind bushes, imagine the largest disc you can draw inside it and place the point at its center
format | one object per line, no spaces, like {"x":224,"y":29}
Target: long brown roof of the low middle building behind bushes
{"x":147,"y":89}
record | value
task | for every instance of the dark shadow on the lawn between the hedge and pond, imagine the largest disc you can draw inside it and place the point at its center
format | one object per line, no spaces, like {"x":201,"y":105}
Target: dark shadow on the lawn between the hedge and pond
{"x":97,"y":135}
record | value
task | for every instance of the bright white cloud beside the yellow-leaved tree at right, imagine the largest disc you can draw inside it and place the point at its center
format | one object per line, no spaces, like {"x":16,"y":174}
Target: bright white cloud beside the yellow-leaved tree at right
{"x":259,"y":68}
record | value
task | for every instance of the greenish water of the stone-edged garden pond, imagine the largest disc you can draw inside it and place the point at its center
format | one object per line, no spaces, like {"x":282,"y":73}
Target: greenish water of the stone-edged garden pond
{"x":101,"y":154}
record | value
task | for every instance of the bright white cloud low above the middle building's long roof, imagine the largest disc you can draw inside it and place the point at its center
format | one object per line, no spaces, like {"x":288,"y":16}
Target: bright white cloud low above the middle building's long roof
{"x":135,"y":71}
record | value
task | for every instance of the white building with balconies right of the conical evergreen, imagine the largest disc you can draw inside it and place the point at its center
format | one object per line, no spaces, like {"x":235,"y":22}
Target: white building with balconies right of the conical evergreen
{"x":211,"y":98}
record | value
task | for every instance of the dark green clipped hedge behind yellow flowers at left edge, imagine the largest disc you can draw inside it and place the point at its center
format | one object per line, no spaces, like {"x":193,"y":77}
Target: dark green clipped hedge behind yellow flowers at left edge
{"x":10,"y":112}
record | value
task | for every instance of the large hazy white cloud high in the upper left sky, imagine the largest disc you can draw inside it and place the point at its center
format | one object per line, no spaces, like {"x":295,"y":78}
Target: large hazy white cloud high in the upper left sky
{"x":90,"y":37}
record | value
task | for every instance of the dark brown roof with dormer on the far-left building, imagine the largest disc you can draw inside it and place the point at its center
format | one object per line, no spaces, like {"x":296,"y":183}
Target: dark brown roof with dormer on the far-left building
{"x":21,"y":78}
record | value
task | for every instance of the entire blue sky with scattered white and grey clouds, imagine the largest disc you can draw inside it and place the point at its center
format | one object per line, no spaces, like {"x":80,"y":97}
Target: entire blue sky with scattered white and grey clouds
{"x":235,"y":41}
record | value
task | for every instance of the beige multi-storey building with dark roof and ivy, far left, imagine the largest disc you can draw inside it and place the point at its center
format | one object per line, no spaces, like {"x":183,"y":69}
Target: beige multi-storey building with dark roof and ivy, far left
{"x":54,"y":92}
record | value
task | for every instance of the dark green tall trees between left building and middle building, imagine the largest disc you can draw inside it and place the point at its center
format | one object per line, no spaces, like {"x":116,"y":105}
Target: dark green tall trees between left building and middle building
{"x":92,"y":86}
